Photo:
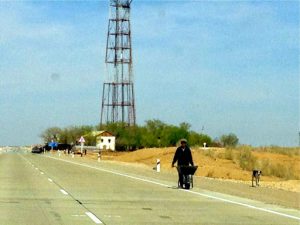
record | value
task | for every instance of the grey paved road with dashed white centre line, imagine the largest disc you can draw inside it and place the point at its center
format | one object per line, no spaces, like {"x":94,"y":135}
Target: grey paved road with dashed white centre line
{"x":35,"y":189}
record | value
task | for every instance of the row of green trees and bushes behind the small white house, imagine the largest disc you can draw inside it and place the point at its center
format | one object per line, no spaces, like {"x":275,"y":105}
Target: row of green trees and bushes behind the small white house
{"x":154,"y":133}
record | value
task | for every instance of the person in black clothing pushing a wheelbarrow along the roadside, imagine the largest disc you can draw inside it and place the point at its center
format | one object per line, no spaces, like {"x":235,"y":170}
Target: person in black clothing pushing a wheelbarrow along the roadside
{"x":183,"y":157}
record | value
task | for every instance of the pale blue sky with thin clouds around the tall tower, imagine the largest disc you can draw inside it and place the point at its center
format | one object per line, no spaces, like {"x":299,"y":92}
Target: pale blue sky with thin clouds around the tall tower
{"x":227,"y":66}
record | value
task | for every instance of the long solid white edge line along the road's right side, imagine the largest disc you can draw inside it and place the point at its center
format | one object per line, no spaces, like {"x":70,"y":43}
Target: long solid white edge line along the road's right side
{"x":192,"y":192}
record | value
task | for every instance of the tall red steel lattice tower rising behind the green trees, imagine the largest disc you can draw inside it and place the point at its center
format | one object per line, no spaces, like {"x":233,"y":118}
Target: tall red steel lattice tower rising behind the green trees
{"x":118,"y":103}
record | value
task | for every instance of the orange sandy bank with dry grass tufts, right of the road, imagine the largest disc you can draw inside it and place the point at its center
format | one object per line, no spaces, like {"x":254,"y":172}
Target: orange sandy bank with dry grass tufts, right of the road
{"x":235,"y":164}
